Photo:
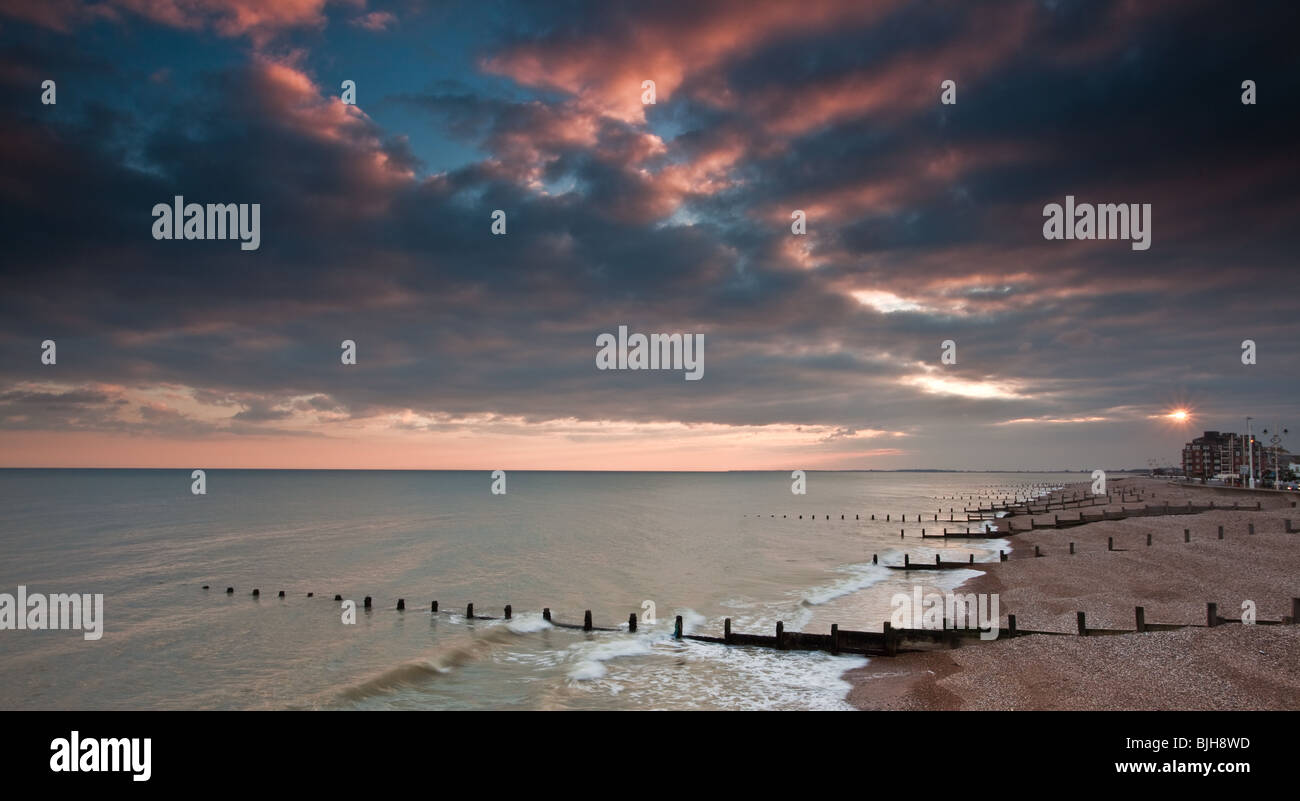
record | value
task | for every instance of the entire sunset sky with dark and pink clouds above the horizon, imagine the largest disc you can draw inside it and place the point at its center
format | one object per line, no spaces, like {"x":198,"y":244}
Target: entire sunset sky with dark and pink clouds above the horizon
{"x":824,"y":350}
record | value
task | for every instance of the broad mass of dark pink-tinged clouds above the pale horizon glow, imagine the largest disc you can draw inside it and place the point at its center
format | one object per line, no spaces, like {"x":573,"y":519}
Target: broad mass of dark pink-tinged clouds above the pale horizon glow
{"x":613,"y":224}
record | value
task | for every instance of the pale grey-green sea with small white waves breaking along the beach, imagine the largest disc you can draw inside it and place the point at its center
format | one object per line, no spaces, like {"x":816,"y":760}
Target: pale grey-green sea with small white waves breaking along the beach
{"x":699,"y":545}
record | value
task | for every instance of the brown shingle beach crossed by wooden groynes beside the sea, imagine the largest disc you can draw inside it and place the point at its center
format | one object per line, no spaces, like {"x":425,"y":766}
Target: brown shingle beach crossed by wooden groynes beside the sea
{"x":1230,"y":666}
